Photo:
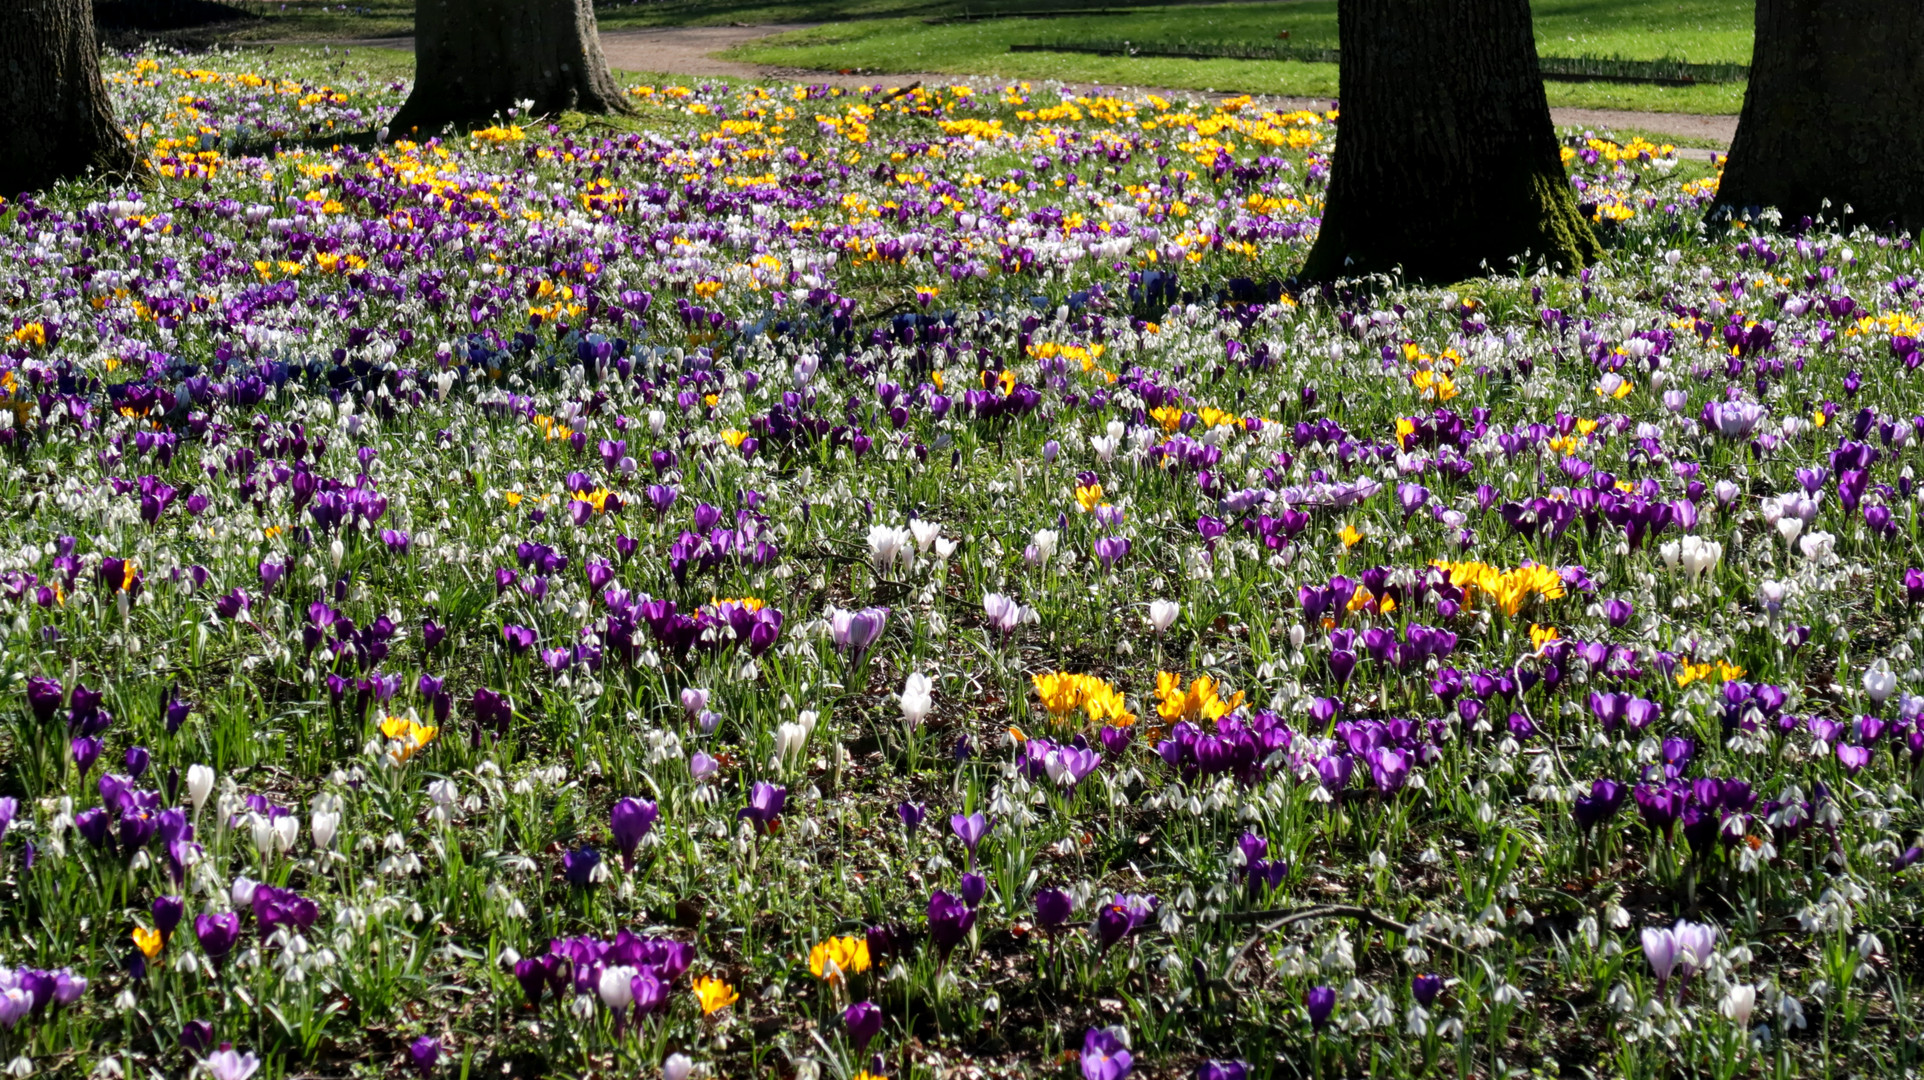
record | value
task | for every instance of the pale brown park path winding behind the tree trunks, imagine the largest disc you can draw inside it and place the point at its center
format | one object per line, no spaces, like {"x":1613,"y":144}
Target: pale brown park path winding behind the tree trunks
{"x":692,"y":53}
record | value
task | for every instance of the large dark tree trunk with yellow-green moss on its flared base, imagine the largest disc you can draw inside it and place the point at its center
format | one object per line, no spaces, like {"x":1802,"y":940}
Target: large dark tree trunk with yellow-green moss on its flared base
{"x":1446,"y":161}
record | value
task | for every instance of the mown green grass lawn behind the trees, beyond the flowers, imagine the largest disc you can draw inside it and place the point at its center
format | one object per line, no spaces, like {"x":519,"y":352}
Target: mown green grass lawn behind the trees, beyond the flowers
{"x":896,"y":36}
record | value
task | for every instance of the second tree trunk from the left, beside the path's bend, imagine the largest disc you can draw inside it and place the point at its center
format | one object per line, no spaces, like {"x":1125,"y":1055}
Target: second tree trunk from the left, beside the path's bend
{"x":474,"y":59}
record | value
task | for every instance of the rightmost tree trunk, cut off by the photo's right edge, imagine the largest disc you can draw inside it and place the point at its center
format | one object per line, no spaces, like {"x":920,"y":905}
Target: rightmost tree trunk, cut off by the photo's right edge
{"x":1835,"y":111}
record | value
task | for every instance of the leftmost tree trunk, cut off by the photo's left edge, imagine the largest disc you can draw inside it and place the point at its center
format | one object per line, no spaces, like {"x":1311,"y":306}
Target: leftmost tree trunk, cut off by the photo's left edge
{"x":55,"y":115}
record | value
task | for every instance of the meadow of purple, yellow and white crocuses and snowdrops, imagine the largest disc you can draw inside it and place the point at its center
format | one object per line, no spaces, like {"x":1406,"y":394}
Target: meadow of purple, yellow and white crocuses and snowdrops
{"x":851,"y":584}
